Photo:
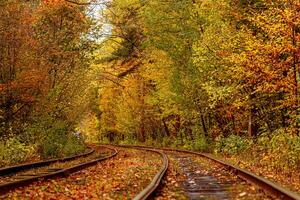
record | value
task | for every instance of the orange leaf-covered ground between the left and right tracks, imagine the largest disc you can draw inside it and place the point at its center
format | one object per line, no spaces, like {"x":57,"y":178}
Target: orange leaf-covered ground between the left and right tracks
{"x":121,"y":177}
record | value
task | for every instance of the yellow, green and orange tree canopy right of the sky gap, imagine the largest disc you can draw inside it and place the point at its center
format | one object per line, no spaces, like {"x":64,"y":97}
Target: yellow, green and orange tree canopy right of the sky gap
{"x":191,"y":68}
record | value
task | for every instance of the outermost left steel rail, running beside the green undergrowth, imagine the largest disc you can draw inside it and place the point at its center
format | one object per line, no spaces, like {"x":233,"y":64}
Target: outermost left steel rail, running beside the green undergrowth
{"x":16,"y":168}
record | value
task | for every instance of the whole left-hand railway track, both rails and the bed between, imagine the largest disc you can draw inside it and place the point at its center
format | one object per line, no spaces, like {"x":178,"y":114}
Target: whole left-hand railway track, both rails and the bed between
{"x":21,"y":175}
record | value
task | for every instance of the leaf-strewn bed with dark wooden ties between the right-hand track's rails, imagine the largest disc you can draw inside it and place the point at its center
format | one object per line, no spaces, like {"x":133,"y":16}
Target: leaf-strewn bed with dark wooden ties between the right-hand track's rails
{"x":195,"y":178}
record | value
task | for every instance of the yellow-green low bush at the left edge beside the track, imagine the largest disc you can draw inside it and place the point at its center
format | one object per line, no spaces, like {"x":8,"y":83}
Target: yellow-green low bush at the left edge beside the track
{"x":13,"y":151}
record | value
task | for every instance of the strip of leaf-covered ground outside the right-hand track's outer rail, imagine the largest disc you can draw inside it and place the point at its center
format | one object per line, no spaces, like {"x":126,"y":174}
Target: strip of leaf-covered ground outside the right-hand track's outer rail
{"x":286,"y":178}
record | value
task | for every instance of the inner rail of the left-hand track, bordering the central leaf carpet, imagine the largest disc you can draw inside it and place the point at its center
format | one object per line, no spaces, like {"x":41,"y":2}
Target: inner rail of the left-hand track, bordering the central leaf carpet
{"x":6,"y":187}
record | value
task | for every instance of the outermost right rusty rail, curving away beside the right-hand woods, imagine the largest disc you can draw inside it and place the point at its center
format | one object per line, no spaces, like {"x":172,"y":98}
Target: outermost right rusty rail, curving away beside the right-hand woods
{"x":265,"y":184}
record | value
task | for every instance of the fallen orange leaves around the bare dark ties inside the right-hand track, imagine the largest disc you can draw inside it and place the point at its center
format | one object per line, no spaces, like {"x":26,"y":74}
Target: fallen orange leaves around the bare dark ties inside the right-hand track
{"x":178,"y":177}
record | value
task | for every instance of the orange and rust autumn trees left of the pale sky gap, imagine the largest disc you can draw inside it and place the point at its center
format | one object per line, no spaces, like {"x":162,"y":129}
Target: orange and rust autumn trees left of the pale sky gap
{"x":44,"y":53}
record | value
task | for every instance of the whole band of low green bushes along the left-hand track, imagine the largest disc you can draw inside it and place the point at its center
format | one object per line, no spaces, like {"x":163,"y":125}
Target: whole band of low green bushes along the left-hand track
{"x":40,"y":142}
